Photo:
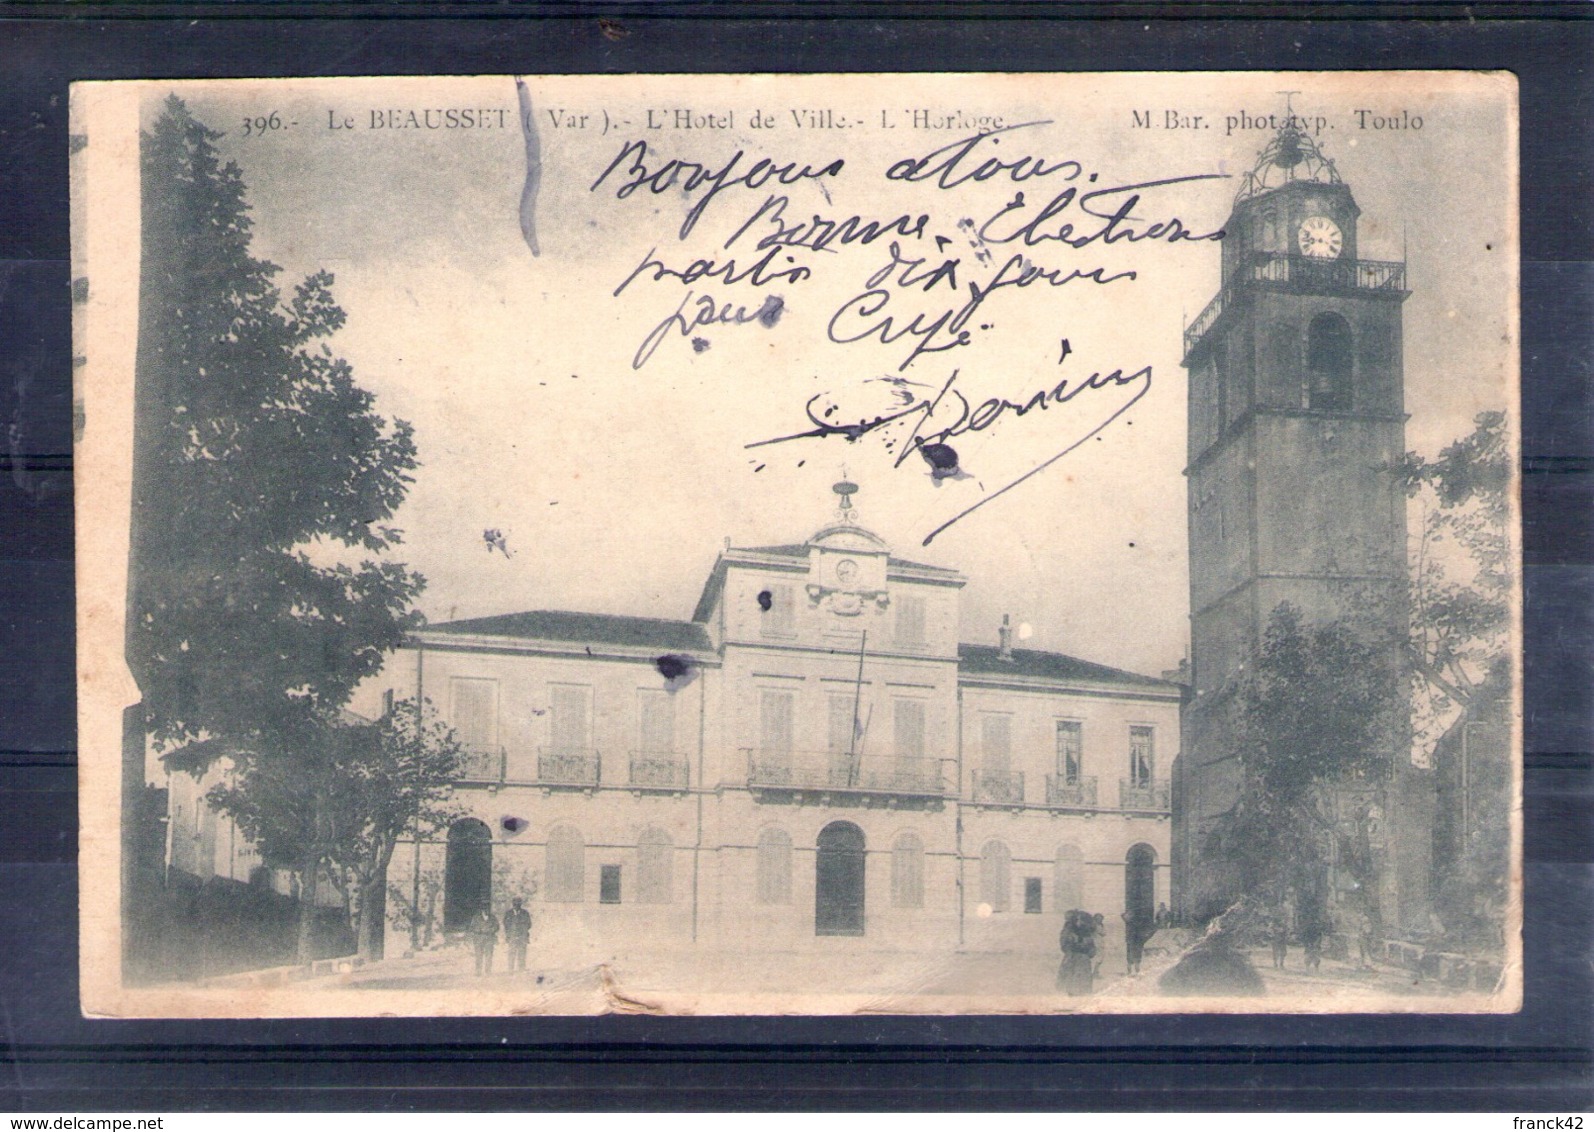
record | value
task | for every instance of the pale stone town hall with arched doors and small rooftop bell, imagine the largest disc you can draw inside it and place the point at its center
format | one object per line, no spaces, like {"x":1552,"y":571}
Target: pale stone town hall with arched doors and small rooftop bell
{"x":812,"y":757}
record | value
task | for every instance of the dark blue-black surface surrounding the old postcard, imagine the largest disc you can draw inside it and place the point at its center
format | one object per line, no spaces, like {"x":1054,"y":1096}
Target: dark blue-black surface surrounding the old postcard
{"x":53,"y":1059}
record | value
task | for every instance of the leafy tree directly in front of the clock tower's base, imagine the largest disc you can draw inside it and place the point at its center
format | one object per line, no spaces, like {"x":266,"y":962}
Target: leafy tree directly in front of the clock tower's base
{"x":1316,"y":720}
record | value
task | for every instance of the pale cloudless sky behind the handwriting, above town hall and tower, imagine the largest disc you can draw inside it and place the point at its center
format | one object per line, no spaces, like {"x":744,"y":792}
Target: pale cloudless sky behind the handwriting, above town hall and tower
{"x":616,"y":487}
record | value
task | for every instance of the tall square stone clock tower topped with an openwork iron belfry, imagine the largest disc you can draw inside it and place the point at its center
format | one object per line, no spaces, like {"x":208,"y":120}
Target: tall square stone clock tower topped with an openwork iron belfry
{"x":1297,"y":419}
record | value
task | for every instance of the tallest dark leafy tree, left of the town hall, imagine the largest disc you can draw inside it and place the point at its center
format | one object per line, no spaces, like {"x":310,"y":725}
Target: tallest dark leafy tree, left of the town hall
{"x":256,"y":457}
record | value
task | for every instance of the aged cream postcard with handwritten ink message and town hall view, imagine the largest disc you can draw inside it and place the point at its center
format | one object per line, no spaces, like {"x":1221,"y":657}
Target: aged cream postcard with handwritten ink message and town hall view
{"x":799,"y":544}
